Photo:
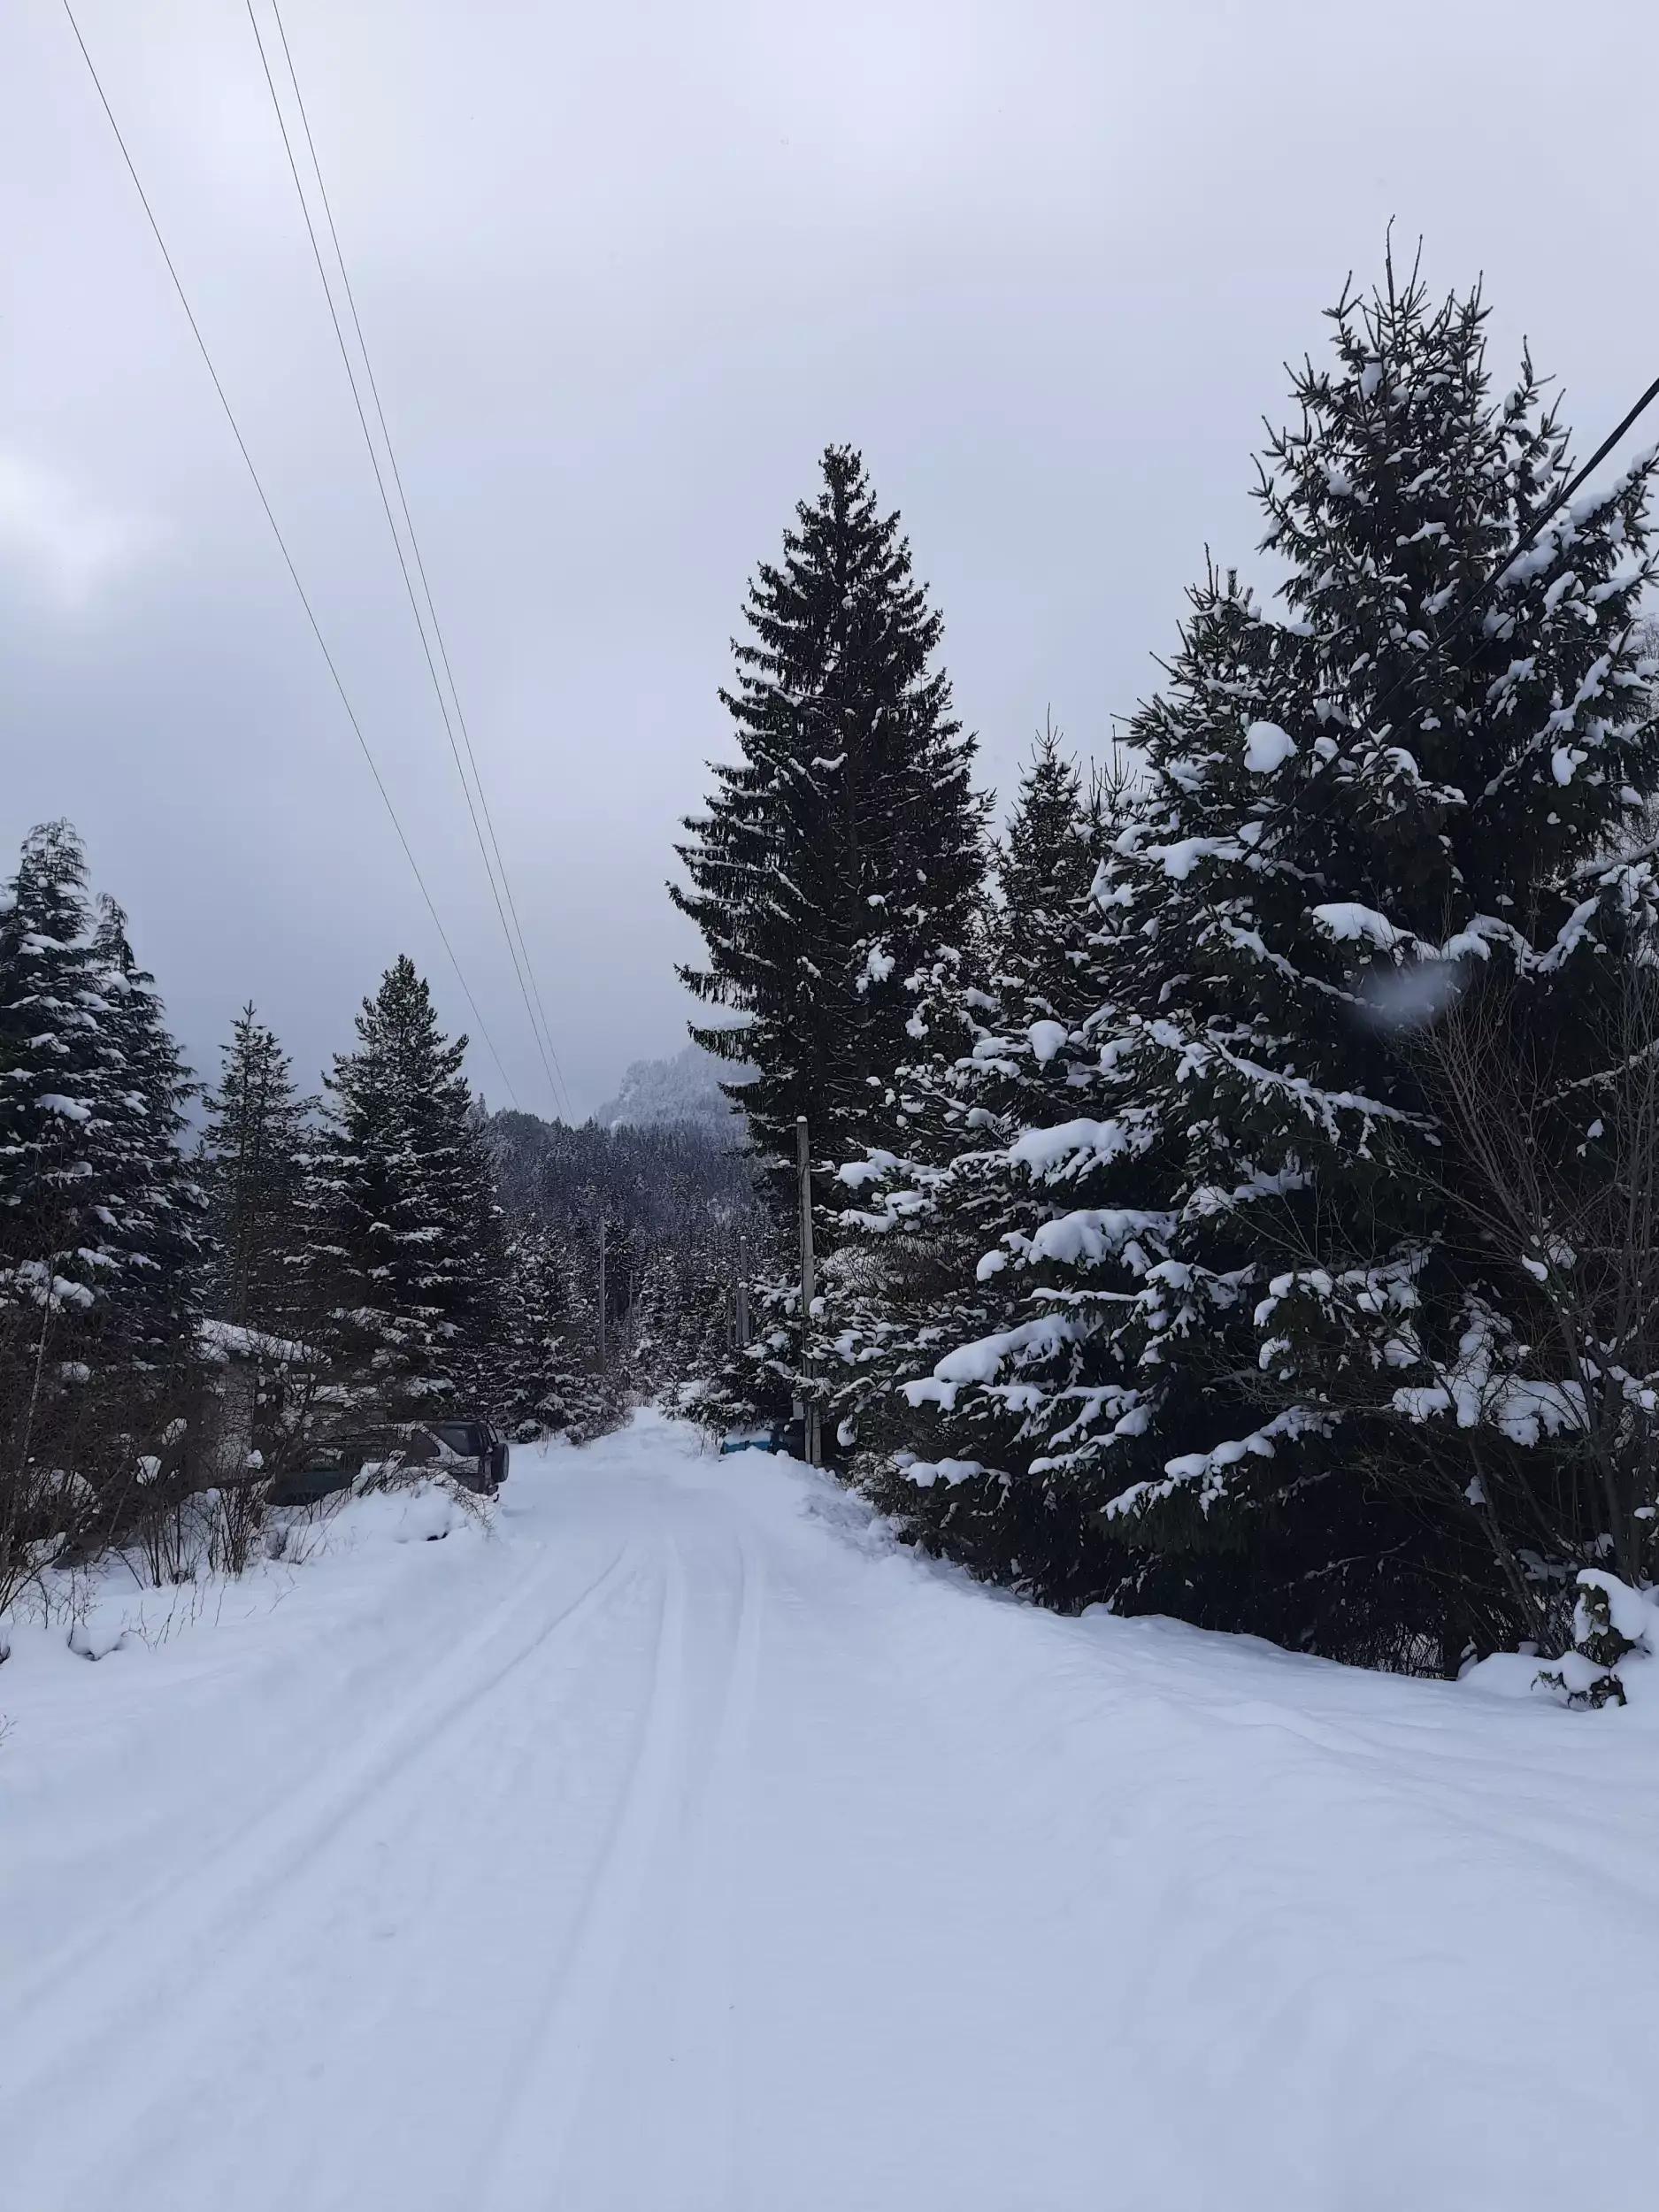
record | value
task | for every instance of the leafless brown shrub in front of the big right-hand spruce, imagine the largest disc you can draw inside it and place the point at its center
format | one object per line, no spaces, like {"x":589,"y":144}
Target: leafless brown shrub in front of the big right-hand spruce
{"x":1556,"y":1191}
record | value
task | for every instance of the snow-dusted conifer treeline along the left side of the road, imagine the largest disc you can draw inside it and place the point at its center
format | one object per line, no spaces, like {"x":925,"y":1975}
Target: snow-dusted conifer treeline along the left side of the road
{"x":194,"y":1313}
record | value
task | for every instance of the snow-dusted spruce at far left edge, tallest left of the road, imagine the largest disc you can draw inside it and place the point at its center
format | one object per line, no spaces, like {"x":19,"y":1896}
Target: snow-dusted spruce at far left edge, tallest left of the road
{"x":98,"y":1215}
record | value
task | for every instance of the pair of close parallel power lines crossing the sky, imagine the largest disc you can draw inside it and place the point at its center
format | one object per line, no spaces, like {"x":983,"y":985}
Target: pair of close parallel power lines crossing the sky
{"x":523,"y":970}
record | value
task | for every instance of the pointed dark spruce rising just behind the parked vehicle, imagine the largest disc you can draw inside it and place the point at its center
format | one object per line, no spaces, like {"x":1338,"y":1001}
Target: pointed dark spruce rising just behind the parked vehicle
{"x":401,"y":1213}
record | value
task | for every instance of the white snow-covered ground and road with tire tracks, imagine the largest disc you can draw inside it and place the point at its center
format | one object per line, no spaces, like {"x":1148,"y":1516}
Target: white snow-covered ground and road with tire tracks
{"x":680,"y":1848}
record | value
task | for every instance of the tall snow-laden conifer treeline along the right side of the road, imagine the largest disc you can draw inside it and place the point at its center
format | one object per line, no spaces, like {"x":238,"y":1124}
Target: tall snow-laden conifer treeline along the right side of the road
{"x":1235,"y":1182}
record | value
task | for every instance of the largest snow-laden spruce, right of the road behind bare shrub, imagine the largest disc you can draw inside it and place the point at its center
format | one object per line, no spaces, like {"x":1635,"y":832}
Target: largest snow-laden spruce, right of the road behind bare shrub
{"x":1249,"y":1335}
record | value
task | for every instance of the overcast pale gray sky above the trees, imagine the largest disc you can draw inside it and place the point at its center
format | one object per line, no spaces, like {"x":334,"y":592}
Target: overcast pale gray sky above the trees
{"x":625,"y":271}
